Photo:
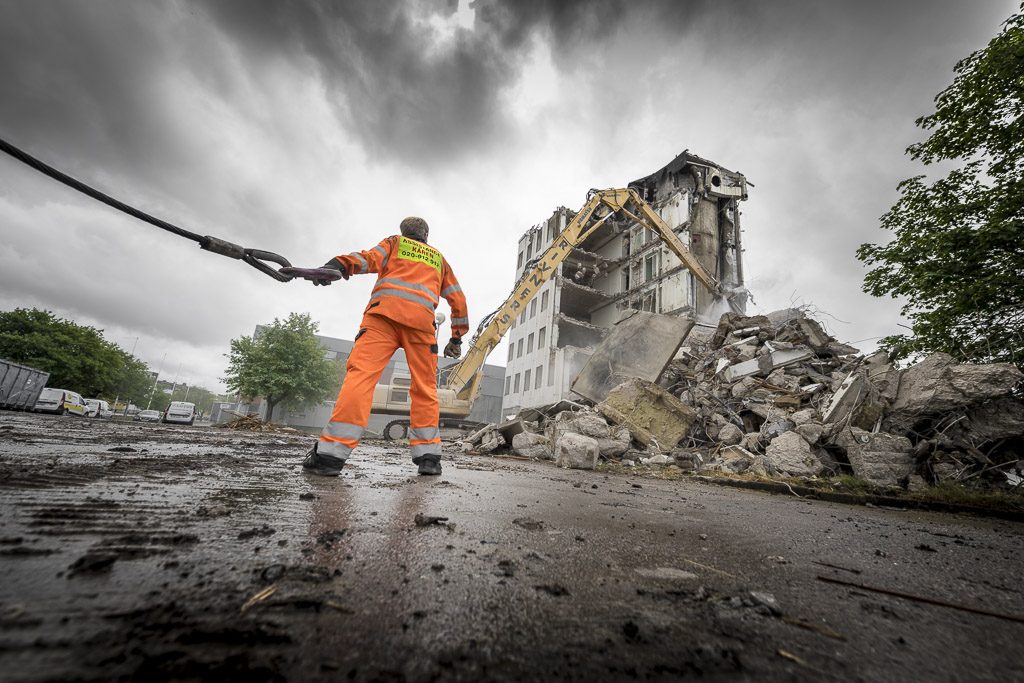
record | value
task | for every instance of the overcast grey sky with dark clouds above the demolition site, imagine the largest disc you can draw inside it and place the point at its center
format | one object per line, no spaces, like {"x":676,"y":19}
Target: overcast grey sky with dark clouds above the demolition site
{"x":313,"y":129}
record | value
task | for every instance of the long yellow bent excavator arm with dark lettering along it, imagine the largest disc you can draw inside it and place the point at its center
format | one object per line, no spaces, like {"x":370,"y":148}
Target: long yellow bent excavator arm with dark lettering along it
{"x":602,"y":206}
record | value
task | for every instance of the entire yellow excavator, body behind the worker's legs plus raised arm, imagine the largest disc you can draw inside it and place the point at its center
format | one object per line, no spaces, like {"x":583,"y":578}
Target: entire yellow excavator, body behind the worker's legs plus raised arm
{"x":460,"y":385}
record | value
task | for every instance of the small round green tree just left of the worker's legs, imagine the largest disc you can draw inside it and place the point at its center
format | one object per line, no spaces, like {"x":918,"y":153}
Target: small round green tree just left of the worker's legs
{"x":283,"y":364}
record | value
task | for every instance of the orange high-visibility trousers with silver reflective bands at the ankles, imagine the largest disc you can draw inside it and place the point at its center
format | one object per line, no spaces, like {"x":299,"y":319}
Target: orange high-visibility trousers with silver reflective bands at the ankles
{"x":378,"y":339}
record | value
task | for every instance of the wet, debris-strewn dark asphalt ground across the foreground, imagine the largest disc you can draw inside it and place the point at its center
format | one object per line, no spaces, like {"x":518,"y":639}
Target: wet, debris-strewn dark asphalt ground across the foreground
{"x":133,"y":551}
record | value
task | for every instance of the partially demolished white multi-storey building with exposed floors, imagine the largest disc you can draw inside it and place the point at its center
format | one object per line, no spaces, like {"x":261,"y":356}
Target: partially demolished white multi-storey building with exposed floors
{"x":621,"y":269}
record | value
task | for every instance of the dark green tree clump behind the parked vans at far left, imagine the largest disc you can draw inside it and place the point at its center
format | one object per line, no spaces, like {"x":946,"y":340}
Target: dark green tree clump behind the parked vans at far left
{"x":77,"y":357}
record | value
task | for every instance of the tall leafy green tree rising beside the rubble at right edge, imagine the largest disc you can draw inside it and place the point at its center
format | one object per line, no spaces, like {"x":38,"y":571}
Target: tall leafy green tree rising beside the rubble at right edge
{"x":958,"y":249}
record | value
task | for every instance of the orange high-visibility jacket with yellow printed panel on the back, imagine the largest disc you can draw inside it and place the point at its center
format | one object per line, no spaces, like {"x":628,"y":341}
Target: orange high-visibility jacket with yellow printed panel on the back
{"x":413,"y":278}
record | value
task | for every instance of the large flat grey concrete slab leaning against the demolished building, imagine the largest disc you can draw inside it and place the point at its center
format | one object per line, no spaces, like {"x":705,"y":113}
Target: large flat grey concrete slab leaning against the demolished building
{"x":639,"y":347}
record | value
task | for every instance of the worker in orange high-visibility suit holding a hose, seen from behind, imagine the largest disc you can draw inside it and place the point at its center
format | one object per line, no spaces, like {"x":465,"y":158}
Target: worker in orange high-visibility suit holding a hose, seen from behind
{"x":412,"y":279}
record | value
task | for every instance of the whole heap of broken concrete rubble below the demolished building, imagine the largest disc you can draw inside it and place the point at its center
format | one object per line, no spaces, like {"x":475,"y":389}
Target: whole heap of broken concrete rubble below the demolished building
{"x":777,"y":396}
